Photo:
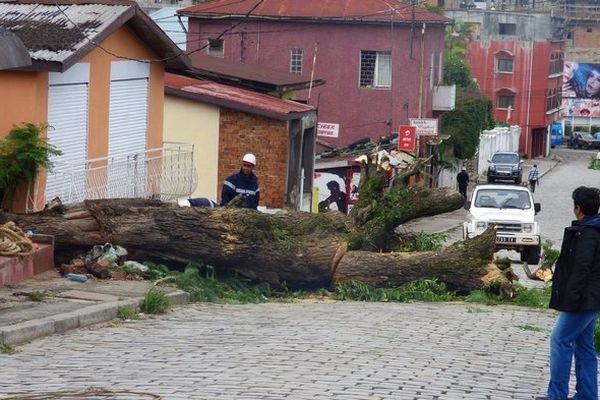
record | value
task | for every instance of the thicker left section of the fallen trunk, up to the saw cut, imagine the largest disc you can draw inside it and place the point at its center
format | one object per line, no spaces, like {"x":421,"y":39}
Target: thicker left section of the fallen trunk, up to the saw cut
{"x":295,"y":248}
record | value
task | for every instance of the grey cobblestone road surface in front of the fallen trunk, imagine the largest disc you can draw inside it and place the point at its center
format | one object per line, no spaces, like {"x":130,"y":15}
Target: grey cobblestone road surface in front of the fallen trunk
{"x":334,"y":350}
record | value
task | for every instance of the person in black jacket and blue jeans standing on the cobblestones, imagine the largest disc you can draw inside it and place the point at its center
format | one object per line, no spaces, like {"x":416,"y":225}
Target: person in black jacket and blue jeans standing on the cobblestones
{"x":576,"y":294}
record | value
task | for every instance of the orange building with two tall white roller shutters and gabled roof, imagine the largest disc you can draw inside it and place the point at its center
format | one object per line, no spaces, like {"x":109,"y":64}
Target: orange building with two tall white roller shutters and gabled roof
{"x":97,"y":79}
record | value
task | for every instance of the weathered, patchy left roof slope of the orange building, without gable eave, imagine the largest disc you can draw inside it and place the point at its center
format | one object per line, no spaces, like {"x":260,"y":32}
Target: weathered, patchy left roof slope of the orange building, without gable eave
{"x":55,"y":32}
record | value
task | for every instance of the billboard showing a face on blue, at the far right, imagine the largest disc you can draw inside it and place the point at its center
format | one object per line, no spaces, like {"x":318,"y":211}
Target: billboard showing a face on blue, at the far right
{"x":581,"y":89}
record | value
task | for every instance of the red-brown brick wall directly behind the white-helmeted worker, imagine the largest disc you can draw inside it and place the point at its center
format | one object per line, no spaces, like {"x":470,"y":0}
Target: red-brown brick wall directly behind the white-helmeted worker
{"x":241,"y":133}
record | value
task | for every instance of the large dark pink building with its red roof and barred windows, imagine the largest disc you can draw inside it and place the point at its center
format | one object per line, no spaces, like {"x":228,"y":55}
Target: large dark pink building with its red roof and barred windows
{"x":381,"y":59}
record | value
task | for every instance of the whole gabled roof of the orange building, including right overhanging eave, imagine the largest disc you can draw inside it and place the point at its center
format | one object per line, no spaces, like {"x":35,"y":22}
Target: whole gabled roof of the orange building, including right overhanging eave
{"x":60,"y":32}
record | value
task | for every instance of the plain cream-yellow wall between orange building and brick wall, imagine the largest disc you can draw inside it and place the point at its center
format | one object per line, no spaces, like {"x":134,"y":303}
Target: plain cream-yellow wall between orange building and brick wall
{"x":197,"y":123}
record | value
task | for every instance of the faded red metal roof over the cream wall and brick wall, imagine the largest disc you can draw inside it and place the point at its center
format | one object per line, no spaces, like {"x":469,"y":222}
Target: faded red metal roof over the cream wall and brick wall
{"x":235,"y":98}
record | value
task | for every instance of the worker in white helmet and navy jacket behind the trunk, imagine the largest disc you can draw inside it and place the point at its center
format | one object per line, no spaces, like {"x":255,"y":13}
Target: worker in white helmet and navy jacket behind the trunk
{"x":243,"y":183}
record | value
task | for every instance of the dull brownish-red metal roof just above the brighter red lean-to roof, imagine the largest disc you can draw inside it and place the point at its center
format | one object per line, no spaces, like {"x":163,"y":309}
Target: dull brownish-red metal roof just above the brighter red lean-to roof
{"x":253,"y":73}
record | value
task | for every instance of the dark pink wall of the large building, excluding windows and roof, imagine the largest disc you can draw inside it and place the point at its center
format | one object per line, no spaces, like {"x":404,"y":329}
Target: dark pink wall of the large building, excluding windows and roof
{"x":360,"y":112}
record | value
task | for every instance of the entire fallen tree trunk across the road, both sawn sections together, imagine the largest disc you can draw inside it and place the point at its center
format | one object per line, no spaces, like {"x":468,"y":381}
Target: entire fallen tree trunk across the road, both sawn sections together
{"x":299,"y":249}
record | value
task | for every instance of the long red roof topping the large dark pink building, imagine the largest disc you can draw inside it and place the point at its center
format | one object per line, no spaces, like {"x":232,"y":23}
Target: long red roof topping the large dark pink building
{"x":345,"y":10}
